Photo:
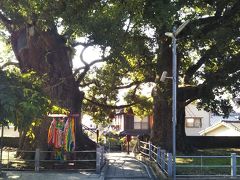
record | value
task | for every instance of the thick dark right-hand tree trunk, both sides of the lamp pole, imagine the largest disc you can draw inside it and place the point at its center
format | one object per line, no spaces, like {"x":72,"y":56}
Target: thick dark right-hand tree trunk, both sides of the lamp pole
{"x":162,"y":111}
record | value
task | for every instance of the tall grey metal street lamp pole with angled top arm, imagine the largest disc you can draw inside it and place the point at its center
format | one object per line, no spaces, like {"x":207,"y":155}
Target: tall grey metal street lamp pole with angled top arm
{"x":173,"y":35}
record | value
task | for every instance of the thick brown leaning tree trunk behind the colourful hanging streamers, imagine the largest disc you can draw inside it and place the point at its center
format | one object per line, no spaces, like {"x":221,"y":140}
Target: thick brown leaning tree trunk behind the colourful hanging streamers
{"x":47,"y":54}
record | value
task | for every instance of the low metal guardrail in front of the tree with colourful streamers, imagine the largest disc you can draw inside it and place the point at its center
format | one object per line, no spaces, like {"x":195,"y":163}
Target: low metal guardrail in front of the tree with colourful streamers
{"x":42,"y":160}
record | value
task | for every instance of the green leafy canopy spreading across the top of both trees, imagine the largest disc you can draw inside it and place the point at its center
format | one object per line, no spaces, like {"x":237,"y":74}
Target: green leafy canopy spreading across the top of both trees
{"x":133,"y":31}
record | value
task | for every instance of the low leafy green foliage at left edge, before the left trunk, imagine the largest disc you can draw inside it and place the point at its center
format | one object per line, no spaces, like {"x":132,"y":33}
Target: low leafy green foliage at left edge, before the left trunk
{"x":22,"y":100}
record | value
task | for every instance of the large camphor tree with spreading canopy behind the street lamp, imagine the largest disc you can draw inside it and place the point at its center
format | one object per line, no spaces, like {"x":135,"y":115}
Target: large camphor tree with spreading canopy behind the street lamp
{"x":208,"y":64}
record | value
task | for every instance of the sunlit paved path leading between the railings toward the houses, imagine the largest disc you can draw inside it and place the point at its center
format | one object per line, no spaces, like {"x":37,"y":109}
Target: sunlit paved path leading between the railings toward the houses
{"x":123,"y":166}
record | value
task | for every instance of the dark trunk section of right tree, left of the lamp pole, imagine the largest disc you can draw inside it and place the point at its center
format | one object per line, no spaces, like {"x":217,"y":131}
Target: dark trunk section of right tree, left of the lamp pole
{"x":161,"y":133}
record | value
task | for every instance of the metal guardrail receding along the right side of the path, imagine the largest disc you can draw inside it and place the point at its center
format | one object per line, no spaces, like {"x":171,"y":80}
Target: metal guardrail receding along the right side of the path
{"x":160,"y":156}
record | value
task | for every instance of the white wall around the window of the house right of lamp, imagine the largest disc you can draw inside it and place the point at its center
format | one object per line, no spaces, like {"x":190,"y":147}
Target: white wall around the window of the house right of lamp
{"x":192,"y":111}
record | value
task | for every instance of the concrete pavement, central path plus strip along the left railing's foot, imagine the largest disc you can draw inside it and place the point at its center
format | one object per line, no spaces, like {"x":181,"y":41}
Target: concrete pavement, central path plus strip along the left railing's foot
{"x":119,"y":166}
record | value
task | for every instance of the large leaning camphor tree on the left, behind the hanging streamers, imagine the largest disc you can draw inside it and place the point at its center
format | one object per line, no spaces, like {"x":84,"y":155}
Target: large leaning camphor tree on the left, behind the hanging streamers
{"x":38,"y":47}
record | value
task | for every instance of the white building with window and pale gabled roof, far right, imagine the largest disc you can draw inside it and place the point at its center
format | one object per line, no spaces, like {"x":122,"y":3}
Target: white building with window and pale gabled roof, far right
{"x":203,"y":123}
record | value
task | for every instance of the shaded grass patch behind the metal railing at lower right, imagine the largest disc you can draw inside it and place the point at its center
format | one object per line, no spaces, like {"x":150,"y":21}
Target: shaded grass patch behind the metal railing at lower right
{"x":203,"y":162}
